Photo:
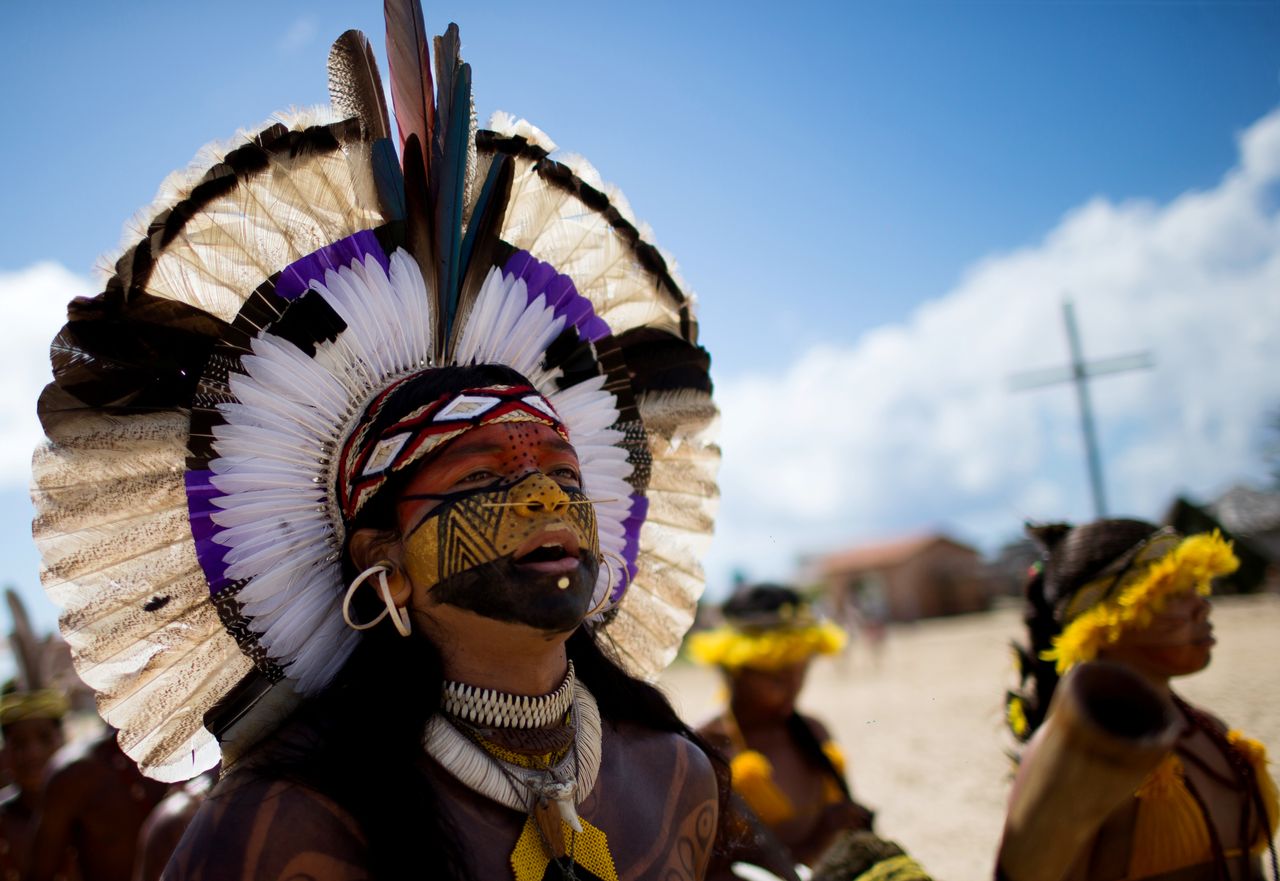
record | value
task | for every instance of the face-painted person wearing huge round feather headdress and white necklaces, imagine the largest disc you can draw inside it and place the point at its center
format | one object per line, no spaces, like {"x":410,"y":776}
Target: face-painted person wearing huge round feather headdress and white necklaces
{"x":382,"y":480}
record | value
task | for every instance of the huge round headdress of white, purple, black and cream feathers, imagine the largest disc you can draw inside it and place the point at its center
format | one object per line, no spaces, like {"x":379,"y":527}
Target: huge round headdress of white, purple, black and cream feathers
{"x":186,"y":501}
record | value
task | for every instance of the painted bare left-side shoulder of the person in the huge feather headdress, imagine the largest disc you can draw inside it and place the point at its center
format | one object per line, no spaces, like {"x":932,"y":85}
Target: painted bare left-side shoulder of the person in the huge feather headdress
{"x":269,"y":829}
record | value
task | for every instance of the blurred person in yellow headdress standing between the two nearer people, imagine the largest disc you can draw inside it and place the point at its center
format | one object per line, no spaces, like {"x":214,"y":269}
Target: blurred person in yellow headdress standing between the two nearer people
{"x":785,"y":765}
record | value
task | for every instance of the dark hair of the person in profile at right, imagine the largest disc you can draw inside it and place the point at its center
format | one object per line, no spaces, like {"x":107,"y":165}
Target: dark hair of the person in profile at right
{"x":1072,"y":558}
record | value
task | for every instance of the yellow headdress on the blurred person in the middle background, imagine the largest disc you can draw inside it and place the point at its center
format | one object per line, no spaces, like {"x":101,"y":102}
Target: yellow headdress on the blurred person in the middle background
{"x":790,"y":641}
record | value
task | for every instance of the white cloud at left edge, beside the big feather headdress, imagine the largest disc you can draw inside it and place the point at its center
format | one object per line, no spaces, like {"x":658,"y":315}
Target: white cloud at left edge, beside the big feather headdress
{"x":34,"y":304}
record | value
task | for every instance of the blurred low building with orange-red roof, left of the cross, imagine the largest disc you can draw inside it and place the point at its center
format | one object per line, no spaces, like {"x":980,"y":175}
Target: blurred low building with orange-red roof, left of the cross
{"x":915,"y":578}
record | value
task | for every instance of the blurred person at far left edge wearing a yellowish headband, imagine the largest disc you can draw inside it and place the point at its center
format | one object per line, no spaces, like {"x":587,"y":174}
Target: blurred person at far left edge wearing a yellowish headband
{"x":31,"y":724}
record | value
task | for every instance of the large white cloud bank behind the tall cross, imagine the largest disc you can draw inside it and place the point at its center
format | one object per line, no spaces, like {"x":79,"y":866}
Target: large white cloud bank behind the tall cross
{"x":913,"y":427}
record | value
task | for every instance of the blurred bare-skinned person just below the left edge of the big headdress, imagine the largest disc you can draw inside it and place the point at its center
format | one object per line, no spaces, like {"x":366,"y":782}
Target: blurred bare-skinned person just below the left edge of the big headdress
{"x":95,"y":804}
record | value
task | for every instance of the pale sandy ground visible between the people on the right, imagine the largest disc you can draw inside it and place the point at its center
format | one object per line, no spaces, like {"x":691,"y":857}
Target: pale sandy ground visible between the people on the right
{"x":925,"y":732}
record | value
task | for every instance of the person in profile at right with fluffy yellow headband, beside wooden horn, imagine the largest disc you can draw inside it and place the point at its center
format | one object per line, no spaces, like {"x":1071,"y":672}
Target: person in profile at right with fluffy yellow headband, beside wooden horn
{"x":1121,"y":778}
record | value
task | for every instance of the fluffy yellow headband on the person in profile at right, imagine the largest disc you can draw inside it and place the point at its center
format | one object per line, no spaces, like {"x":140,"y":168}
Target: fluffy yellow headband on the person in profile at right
{"x":1127,"y":600}
